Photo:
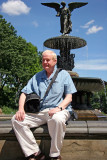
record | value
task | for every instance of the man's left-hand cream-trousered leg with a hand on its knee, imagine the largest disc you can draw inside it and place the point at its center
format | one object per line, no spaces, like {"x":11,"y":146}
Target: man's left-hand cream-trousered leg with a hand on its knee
{"x":25,"y":136}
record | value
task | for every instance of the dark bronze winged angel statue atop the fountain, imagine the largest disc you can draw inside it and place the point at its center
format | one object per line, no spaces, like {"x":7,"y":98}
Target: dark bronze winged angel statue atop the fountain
{"x":65,"y":14}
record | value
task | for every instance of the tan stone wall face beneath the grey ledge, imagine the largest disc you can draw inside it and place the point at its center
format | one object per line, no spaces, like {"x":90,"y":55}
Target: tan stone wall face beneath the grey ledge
{"x":74,"y":149}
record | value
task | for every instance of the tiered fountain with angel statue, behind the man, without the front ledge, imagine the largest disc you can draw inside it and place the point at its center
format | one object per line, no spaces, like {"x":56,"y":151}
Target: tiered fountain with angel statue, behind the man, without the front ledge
{"x":85,"y":86}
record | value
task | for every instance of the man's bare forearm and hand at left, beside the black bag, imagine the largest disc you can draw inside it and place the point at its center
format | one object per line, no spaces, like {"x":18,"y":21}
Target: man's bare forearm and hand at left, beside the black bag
{"x":20,"y":114}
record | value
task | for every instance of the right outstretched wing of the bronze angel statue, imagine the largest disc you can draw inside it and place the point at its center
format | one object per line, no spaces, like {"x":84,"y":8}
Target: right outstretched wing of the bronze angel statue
{"x":74,"y":5}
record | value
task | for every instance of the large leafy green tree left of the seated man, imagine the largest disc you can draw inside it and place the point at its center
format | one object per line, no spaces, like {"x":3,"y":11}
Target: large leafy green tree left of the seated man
{"x":19,"y":60}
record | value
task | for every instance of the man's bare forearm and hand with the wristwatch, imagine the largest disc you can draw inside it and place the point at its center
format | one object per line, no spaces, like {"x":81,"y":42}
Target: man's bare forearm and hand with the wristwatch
{"x":67,"y":100}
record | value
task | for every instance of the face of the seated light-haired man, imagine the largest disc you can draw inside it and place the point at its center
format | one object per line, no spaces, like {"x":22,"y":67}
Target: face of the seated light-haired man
{"x":48,"y":62}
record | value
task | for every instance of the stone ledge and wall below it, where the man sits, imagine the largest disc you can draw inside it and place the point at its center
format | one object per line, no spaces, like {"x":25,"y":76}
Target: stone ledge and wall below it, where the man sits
{"x":84,"y":140}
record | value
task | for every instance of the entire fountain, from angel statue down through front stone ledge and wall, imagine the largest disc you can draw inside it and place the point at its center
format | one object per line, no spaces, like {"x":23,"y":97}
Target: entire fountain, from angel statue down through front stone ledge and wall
{"x":85,"y":138}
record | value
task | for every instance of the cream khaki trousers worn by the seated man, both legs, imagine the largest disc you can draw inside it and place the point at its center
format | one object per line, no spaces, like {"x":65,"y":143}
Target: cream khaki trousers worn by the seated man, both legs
{"x":56,"y":126}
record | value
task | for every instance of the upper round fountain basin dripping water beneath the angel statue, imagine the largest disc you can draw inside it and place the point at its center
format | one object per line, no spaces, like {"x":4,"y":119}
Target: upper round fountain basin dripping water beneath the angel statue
{"x":65,"y":41}
